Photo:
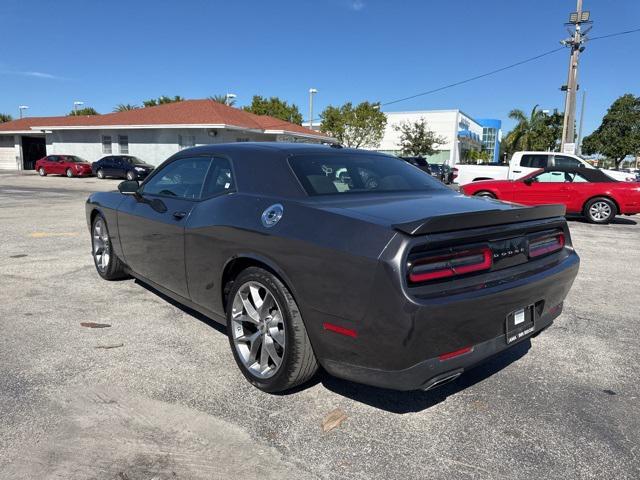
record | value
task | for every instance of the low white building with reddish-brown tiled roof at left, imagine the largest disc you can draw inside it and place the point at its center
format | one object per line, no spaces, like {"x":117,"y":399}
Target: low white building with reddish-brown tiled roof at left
{"x":153,"y":134}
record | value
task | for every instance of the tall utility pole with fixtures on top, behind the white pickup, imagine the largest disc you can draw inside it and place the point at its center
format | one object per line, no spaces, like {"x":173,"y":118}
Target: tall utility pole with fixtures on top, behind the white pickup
{"x":575,"y":43}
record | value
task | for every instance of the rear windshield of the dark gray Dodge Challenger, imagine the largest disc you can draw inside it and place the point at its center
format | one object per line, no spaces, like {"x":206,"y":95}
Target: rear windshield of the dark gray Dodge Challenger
{"x":326,"y":174}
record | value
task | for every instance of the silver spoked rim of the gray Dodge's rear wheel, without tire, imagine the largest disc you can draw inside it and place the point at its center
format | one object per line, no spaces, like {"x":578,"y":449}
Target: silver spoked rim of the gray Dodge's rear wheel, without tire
{"x":258,"y":329}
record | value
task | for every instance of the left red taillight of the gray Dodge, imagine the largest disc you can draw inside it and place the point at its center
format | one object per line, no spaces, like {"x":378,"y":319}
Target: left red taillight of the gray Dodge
{"x":450,"y":265}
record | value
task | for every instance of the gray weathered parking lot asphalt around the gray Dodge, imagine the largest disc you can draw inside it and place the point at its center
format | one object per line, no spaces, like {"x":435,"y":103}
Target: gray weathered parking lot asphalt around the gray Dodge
{"x":158,"y":395}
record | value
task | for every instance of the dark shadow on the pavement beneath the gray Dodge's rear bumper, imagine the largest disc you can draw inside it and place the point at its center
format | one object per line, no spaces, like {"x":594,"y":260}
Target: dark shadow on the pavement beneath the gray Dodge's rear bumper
{"x":415,"y":401}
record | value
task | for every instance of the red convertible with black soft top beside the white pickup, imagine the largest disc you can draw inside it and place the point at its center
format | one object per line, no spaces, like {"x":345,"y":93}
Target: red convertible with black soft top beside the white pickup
{"x":584,"y":191}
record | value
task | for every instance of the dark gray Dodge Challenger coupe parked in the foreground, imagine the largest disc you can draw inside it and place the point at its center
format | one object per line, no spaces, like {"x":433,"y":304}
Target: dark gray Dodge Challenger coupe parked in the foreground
{"x":351,"y":260}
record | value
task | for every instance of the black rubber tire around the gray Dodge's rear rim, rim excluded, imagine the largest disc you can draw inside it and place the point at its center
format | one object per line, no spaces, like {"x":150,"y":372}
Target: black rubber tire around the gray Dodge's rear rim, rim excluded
{"x":298,"y":360}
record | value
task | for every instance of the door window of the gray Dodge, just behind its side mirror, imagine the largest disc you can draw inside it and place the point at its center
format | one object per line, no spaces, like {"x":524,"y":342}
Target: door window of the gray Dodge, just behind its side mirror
{"x":181,"y":178}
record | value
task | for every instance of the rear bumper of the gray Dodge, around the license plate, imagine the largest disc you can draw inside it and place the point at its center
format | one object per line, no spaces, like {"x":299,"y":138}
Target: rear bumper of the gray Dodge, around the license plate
{"x":400,"y":340}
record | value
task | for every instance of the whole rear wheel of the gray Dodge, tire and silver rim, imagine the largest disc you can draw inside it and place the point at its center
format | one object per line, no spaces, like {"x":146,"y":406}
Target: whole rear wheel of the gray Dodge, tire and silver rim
{"x":267,"y":336}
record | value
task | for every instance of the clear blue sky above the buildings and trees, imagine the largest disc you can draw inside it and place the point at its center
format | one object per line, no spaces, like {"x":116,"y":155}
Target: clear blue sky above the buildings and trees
{"x":110,"y":52}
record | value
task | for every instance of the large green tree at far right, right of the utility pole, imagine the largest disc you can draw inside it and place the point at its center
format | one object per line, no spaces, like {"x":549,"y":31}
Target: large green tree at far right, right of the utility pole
{"x":619,"y":133}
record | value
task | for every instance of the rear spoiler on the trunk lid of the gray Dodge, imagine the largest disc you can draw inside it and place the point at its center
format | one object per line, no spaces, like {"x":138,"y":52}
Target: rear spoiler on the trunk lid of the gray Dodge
{"x":487,"y":218}
